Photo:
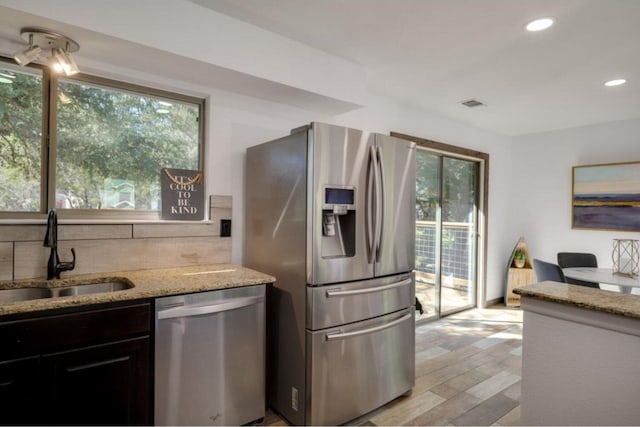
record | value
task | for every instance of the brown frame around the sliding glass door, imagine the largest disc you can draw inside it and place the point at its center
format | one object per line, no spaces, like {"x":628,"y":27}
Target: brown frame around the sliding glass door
{"x":482,"y":198}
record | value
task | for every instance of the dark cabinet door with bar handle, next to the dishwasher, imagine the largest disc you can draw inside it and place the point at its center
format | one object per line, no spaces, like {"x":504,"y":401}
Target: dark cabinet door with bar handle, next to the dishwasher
{"x":104,"y":384}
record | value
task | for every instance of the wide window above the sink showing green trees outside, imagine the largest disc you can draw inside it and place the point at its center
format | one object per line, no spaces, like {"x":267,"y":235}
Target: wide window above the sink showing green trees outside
{"x":107,"y":145}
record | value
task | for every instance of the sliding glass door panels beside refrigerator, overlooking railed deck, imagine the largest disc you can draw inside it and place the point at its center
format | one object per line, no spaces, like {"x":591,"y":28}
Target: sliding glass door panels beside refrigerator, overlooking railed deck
{"x":447,"y":190}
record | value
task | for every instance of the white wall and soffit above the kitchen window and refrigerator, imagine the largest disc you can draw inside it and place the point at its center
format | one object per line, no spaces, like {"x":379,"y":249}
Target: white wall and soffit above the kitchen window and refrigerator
{"x":130,"y":47}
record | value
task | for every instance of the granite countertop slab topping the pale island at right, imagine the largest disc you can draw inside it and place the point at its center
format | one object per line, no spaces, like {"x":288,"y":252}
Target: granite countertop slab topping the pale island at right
{"x":583,"y":297}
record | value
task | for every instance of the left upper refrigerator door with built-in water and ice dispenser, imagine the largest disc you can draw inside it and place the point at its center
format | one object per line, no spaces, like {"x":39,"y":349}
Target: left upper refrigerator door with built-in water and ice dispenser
{"x":340,"y":159}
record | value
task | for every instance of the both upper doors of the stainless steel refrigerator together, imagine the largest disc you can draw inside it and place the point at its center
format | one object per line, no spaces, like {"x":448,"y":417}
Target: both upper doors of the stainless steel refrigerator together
{"x":373,"y":233}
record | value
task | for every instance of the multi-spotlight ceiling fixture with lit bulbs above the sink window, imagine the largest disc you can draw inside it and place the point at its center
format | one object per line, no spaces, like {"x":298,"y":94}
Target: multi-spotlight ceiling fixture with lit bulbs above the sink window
{"x":57,"y":46}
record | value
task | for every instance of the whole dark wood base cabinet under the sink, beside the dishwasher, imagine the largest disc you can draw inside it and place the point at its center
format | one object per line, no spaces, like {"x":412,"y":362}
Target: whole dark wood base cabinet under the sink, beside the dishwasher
{"x":82,"y":368}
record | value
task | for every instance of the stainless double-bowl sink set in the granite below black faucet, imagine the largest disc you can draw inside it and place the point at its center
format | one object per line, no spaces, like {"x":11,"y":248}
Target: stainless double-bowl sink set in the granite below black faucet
{"x":93,"y":287}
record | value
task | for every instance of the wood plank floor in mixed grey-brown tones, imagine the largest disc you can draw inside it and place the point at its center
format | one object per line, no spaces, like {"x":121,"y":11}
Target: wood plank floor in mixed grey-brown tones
{"x":468,"y":369}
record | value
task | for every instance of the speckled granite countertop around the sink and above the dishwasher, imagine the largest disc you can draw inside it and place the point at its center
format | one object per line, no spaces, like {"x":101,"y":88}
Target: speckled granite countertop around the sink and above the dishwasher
{"x":146,"y":284}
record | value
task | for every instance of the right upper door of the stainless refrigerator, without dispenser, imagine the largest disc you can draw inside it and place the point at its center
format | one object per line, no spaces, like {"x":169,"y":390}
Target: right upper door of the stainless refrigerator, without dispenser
{"x":396,"y":248}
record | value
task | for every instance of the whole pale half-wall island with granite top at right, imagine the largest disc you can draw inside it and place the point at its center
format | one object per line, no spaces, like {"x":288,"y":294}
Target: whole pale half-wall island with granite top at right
{"x":580,"y":361}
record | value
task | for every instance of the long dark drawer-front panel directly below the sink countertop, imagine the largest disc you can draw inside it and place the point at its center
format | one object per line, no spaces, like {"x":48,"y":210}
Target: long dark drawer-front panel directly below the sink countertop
{"x":52,"y":333}
